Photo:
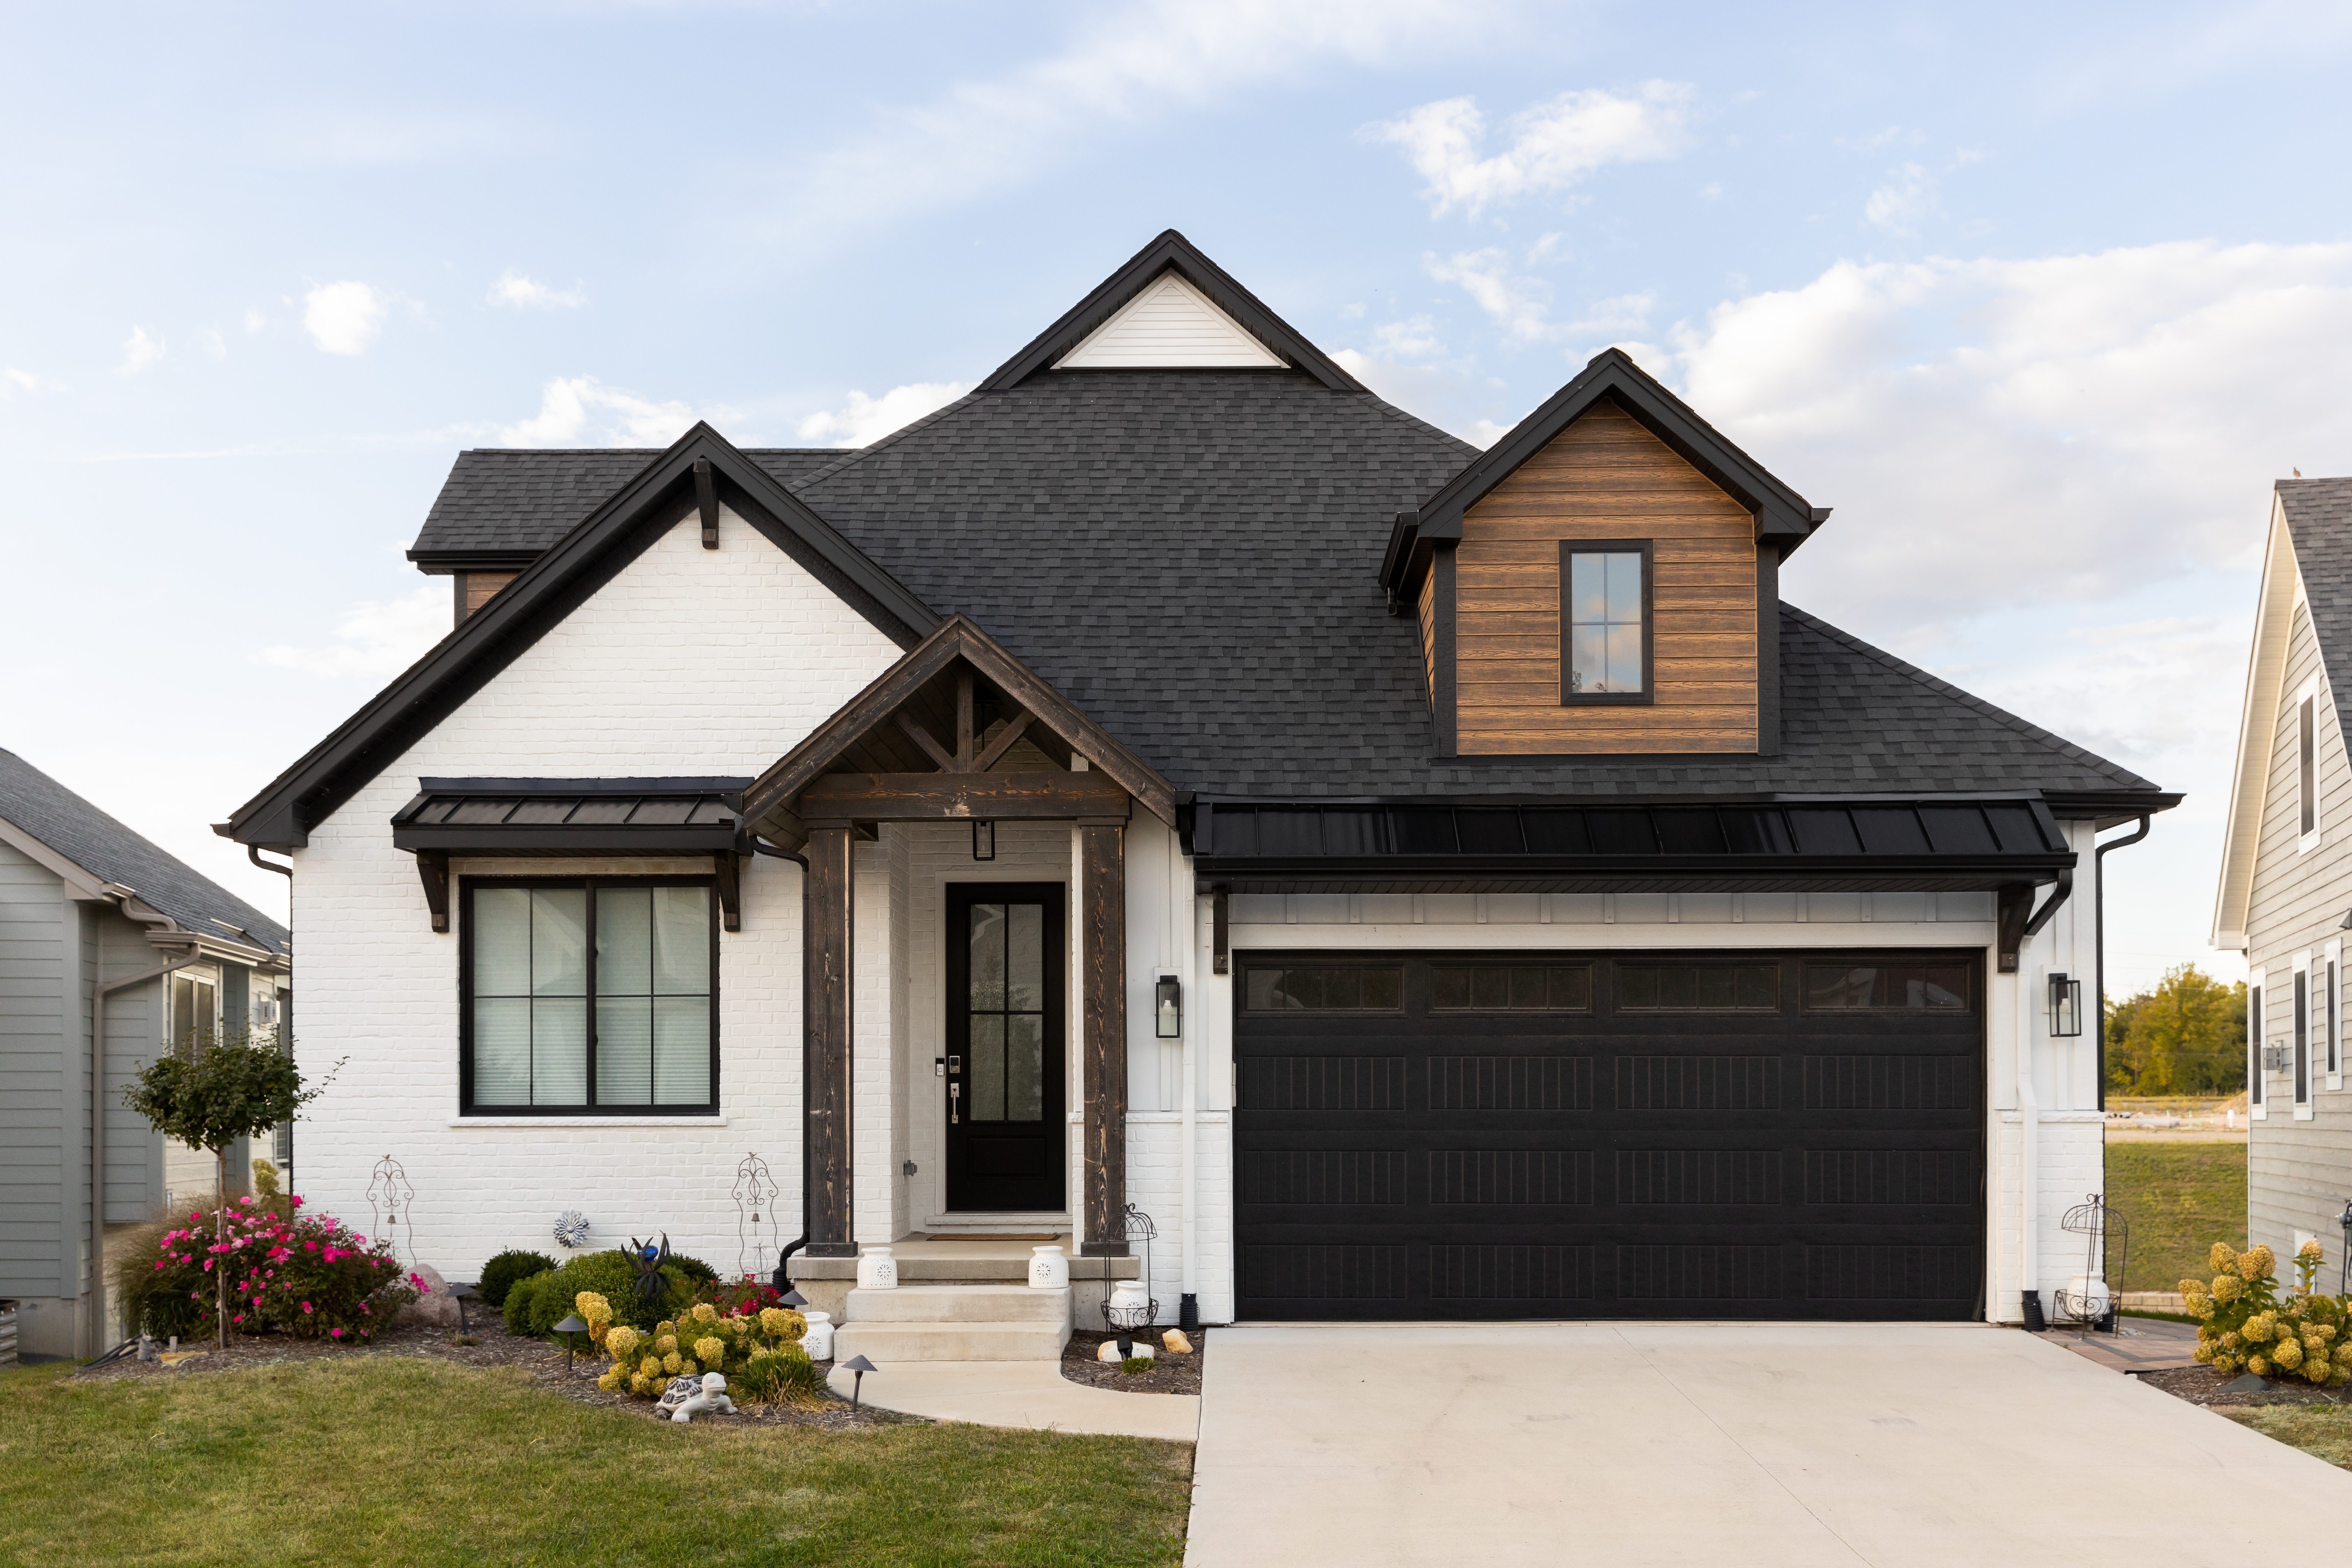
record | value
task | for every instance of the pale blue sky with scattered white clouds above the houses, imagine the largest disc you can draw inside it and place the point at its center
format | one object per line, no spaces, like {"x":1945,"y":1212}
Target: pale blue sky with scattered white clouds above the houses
{"x":2038,"y":297}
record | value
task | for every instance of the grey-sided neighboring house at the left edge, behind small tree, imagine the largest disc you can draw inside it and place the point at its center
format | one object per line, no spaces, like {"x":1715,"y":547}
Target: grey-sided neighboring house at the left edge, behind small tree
{"x":86,"y":904}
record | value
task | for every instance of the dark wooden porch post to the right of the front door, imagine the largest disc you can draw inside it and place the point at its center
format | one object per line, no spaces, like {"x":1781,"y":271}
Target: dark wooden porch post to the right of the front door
{"x":1102,"y":923}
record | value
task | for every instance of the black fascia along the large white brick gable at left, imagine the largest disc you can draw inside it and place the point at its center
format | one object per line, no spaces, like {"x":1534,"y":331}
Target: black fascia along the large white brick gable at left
{"x":533,"y":605}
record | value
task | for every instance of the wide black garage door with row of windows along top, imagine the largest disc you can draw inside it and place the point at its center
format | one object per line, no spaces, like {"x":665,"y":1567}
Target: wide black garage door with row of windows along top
{"x":1546,"y":1137}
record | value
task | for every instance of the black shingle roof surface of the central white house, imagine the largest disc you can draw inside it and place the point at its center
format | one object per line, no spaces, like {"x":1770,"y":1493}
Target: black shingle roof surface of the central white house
{"x":1194,"y":558}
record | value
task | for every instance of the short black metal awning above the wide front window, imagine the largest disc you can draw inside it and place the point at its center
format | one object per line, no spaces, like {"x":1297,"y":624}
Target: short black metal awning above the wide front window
{"x":570,"y":817}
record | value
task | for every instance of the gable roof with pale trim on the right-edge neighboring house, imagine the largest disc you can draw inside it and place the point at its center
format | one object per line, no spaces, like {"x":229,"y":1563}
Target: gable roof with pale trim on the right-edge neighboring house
{"x":2308,"y":549}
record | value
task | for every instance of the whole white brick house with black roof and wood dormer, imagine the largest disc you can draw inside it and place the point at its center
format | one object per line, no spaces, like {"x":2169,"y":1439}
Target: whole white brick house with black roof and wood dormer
{"x":1424,"y":880}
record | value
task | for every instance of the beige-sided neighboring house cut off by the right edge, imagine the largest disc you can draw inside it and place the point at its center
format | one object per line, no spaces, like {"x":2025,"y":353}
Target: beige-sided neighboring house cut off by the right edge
{"x":2287,"y":871}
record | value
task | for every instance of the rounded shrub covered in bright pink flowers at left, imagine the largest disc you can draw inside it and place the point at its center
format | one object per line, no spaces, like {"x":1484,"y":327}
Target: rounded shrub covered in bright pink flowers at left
{"x":288,"y":1271}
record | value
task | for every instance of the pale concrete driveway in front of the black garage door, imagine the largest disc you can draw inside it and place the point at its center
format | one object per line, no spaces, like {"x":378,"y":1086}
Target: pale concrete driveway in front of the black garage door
{"x":1725,"y":1445}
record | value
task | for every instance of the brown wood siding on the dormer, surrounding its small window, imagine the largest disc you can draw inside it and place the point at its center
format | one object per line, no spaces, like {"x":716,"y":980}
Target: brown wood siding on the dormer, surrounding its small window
{"x":1605,"y":478}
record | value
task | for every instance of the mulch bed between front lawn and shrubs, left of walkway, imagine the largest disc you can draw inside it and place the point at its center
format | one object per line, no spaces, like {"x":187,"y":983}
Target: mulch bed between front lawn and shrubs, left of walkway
{"x":497,"y":1348}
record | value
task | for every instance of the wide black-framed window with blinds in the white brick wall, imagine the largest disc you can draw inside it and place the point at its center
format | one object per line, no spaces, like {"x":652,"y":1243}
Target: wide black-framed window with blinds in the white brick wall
{"x":592,"y":996}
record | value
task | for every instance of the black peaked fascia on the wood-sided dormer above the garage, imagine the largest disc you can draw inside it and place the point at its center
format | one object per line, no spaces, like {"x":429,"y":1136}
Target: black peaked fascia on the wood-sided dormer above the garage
{"x":1782,"y":514}
